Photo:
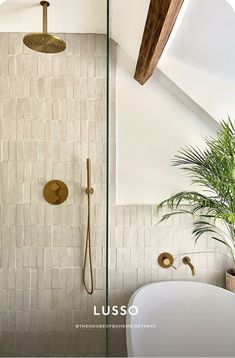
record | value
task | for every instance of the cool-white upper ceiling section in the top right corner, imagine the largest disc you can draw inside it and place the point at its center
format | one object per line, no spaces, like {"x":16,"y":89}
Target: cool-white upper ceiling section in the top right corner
{"x":206,"y":38}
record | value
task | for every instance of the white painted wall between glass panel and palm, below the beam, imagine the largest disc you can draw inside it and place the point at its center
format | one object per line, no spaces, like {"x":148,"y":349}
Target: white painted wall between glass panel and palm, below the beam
{"x":152,"y":124}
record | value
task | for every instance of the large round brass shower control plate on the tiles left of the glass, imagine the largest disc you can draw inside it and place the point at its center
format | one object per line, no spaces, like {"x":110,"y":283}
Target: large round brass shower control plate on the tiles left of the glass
{"x":55,"y":192}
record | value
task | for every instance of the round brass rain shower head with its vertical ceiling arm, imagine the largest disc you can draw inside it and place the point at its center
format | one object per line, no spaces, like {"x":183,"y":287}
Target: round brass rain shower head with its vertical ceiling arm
{"x":44,"y":42}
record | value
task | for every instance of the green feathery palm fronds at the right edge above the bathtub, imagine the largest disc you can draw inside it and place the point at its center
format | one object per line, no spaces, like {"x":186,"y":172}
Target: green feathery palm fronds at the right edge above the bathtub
{"x":213,"y":171}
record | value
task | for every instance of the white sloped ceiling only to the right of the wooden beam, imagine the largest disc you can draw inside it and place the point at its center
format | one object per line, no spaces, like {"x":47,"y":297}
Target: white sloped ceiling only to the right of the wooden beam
{"x":200,"y":55}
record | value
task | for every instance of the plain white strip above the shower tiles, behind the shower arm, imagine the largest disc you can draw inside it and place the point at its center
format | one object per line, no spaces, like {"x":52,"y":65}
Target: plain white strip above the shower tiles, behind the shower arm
{"x":67,"y":16}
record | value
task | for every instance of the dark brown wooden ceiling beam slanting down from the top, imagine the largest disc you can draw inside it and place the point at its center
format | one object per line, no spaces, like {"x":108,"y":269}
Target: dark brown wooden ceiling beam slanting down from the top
{"x":160,"y":21}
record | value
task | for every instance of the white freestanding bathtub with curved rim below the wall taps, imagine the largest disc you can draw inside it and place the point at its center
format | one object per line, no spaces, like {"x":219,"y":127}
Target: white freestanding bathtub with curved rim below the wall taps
{"x":188,"y":319}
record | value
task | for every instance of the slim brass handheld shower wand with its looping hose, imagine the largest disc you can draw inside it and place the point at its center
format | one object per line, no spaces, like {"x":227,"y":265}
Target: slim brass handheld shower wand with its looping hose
{"x":88,"y":256}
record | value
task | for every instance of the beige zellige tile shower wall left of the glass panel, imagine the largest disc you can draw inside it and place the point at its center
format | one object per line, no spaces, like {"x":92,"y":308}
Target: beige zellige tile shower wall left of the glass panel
{"x":52,"y":117}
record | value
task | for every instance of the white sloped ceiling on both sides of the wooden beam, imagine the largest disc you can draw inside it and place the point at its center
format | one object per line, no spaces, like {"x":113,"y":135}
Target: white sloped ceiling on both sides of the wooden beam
{"x":200,"y":54}
